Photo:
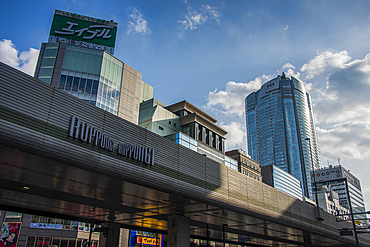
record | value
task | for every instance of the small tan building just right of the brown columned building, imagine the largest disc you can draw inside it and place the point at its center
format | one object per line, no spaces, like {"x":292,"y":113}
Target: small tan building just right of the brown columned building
{"x":246,"y":165}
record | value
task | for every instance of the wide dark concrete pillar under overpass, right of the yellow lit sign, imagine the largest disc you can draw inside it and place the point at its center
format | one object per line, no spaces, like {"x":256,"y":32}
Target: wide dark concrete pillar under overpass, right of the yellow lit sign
{"x":178,"y":231}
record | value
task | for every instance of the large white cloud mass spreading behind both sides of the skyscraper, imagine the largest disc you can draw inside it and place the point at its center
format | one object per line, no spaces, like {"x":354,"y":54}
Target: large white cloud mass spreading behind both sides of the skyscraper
{"x":339,"y":87}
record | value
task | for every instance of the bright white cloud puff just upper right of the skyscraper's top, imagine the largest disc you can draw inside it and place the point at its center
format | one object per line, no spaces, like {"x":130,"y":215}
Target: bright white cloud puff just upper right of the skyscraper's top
{"x":325,"y":62}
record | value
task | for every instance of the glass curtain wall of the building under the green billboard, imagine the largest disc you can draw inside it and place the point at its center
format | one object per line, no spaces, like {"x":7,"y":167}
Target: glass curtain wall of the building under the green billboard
{"x":92,"y":75}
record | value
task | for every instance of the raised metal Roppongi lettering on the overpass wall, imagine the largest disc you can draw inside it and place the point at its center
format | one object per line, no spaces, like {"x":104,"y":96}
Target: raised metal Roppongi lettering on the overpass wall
{"x":87,"y":133}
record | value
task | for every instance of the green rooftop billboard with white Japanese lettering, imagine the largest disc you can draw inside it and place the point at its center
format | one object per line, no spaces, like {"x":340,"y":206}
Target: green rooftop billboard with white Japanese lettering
{"x":83,"y":28}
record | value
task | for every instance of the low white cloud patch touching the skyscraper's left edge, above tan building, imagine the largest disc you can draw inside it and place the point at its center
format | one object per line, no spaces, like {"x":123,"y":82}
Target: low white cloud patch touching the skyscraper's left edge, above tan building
{"x":236,"y":137}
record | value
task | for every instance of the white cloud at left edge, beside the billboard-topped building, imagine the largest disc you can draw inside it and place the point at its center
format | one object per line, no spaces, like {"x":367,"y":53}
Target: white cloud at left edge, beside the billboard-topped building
{"x":25,"y":61}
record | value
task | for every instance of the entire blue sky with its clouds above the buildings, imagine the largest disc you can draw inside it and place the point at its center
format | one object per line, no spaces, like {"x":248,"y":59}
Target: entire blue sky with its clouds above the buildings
{"x":214,"y":53}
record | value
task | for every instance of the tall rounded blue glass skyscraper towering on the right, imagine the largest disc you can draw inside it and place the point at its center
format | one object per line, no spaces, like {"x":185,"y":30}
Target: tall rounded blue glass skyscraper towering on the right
{"x":281,"y":129}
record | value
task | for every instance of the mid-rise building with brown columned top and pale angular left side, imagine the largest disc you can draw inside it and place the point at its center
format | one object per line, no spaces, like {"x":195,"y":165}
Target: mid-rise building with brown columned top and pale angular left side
{"x":188,"y":126}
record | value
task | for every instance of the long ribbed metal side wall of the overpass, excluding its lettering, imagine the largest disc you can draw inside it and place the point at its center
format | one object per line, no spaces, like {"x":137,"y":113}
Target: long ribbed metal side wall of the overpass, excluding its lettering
{"x":36,"y":118}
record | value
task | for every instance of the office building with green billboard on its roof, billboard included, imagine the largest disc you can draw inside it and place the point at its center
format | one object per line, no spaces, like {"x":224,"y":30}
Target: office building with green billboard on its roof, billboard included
{"x":78,"y":59}
